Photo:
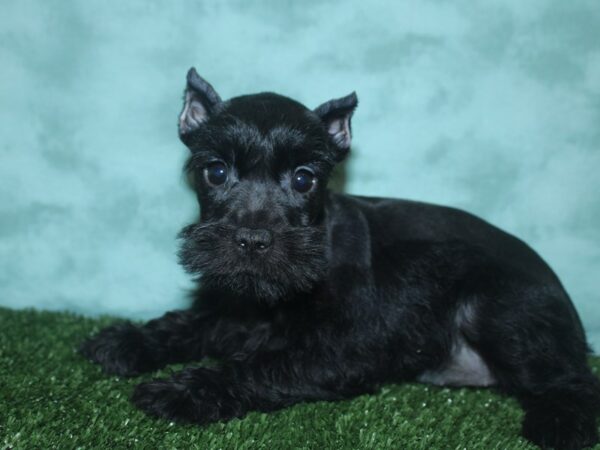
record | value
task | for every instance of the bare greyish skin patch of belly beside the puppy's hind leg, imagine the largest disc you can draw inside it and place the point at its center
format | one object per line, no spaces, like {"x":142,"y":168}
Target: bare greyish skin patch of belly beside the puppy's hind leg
{"x":464,"y":368}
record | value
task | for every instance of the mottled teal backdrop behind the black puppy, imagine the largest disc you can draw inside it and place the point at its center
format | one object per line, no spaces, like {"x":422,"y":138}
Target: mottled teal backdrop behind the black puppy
{"x":490,"y":106}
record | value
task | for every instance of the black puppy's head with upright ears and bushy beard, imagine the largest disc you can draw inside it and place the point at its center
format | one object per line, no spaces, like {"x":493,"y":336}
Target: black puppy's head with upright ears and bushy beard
{"x":259,"y":165}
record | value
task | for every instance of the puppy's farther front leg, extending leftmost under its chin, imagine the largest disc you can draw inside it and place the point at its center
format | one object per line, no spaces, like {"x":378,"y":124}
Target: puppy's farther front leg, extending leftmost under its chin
{"x":128,"y":349}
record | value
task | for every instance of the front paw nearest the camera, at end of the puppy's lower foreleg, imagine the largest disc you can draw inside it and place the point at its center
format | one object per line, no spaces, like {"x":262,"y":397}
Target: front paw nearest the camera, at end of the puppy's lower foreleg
{"x":192,"y":395}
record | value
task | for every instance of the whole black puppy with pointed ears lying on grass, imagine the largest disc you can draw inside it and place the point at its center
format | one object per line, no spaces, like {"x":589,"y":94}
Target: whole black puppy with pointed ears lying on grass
{"x":310,"y":295}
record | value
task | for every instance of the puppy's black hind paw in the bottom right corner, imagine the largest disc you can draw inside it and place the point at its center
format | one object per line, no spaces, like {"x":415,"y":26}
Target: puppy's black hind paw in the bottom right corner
{"x":560,"y":430}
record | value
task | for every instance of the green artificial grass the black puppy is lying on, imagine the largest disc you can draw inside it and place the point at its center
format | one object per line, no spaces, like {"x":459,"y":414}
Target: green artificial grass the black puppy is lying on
{"x":51,"y":398}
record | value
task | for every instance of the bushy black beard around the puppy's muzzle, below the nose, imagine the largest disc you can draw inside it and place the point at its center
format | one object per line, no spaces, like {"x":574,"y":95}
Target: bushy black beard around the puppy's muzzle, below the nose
{"x":294,"y":263}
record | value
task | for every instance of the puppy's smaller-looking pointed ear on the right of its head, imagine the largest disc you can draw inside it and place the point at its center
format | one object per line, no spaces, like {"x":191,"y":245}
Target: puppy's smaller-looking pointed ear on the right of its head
{"x":336,"y":115}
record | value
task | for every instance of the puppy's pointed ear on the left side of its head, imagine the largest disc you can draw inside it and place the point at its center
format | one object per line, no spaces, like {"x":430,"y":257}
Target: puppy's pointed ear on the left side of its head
{"x":199,"y":102}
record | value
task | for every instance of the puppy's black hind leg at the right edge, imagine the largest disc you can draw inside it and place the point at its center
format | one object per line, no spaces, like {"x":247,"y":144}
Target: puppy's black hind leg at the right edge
{"x":536,"y":350}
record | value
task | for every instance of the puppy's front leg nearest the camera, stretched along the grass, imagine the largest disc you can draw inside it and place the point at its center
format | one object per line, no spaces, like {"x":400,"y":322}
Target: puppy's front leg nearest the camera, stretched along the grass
{"x":266,"y":382}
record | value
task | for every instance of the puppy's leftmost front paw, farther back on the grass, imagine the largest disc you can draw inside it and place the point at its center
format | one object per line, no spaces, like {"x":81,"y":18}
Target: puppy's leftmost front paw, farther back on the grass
{"x":122,"y":350}
